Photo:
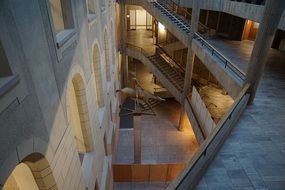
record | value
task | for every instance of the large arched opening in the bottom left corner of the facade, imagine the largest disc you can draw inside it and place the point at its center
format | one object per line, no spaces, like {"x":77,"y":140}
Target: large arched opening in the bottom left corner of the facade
{"x":33,"y":173}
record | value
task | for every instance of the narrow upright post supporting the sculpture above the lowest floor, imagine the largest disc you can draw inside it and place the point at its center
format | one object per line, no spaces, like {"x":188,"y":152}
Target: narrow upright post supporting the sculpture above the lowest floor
{"x":137,"y":139}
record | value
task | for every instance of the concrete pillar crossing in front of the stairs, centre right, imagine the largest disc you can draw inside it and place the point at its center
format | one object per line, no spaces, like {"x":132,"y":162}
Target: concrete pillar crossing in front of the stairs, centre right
{"x":190,"y":54}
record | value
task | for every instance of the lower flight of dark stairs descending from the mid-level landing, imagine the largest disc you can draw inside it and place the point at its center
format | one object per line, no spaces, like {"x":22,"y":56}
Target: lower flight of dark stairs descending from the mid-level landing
{"x":169,"y":71}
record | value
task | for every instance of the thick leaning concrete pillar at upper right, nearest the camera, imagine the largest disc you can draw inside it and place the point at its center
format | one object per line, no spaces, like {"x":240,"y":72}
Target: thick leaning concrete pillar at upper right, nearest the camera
{"x":271,"y":17}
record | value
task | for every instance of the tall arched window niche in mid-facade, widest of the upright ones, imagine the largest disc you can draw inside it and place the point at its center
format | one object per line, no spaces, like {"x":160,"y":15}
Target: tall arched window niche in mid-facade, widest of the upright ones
{"x":79,"y":116}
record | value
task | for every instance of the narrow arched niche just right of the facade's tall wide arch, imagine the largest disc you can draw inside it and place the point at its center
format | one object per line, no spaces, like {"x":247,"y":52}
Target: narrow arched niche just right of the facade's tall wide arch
{"x":98,"y":76}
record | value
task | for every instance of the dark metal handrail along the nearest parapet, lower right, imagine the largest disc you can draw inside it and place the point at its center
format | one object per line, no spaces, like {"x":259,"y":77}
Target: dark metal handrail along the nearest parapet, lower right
{"x":220,"y":126}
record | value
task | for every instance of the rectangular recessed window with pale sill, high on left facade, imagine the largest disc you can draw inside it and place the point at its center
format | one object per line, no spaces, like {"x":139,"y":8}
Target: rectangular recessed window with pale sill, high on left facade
{"x":62,"y":17}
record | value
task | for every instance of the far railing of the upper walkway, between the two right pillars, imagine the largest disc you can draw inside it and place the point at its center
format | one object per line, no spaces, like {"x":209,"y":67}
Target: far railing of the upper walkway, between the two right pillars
{"x":214,"y":52}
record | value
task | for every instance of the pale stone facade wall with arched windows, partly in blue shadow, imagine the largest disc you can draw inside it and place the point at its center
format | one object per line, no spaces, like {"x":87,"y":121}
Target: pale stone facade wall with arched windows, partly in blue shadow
{"x":34,"y":115}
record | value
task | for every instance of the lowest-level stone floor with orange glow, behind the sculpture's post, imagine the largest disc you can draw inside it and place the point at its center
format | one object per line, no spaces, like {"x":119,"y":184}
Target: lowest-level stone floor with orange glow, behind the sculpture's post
{"x":161,"y":141}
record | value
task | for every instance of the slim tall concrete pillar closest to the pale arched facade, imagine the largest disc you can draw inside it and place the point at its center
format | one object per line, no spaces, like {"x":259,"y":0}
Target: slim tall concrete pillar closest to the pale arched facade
{"x":123,"y":43}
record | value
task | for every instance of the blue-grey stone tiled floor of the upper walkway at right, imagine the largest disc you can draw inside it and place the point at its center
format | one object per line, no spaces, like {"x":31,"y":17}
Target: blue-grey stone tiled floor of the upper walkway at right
{"x":253,"y":156}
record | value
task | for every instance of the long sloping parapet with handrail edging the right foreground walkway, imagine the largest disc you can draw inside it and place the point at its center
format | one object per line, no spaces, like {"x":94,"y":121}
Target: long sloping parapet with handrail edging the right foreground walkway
{"x":191,"y":175}
